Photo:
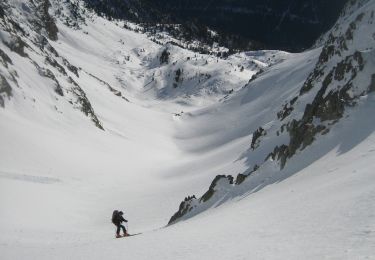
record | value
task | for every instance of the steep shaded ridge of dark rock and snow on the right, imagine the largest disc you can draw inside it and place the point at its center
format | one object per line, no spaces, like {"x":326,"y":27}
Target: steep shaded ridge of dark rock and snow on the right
{"x":343,"y":77}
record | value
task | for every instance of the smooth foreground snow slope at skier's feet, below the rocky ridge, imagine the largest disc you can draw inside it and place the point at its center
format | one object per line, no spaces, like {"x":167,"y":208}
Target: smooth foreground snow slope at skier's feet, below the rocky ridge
{"x":312,"y":215}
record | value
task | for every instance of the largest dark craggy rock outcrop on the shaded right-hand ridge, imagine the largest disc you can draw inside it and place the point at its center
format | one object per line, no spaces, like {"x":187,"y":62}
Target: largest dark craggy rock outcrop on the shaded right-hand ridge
{"x":325,"y":106}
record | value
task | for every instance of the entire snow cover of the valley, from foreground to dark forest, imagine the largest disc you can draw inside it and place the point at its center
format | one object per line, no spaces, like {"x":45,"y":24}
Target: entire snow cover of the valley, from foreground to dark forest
{"x":61,"y":175}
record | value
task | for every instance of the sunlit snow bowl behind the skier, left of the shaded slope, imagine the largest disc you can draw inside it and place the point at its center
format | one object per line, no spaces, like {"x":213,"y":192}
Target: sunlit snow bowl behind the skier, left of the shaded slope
{"x":47,"y":169}
